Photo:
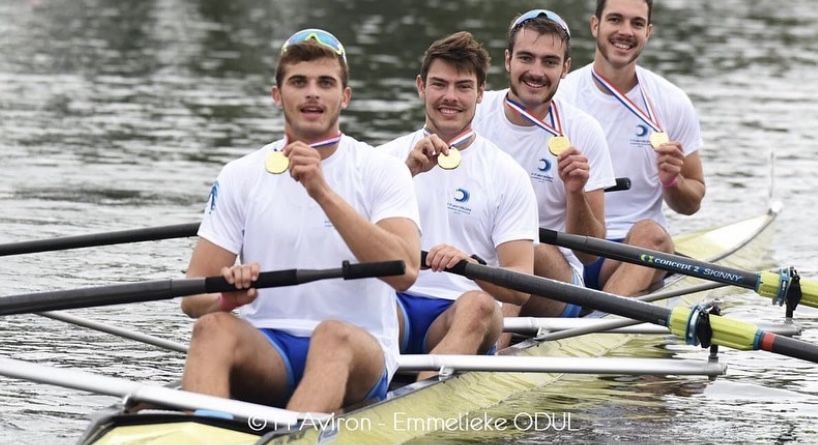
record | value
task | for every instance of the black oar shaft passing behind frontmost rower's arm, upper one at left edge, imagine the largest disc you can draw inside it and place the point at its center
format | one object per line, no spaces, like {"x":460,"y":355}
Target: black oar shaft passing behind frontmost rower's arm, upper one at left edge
{"x":100,"y":239}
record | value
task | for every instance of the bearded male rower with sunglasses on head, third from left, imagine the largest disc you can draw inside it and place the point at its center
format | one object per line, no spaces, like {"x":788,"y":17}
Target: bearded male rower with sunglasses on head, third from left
{"x":561,"y":148}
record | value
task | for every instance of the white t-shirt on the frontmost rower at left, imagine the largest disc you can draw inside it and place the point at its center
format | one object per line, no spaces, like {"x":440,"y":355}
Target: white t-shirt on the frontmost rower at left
{"x":270,"y":219}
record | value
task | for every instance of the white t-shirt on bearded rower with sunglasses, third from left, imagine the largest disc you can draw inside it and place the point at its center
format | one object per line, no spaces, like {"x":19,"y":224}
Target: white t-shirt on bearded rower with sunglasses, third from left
{"x":528,"y":145}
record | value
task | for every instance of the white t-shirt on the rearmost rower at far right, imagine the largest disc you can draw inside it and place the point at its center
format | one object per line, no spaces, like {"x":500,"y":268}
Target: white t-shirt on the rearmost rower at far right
{"x":627,"y":135}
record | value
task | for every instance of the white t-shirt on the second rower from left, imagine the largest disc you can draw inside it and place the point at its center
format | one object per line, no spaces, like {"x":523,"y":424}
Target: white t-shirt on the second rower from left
{"x":484,"y":202}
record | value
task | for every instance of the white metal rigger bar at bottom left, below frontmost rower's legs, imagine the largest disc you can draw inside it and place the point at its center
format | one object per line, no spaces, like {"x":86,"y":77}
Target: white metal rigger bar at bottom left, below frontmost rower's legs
{"x":158,"y":395}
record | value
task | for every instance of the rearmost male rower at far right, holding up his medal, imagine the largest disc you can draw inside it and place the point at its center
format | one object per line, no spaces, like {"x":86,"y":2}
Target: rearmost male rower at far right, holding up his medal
{"x":653,"y":134}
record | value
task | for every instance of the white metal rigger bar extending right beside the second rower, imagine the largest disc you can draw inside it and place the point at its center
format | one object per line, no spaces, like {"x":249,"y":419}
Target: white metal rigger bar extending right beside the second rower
{"x":569,"y":365}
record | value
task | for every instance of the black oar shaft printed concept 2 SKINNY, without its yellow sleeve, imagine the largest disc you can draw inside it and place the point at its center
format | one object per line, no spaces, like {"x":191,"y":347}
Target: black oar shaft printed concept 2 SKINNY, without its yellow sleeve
{"x":651,"y":258}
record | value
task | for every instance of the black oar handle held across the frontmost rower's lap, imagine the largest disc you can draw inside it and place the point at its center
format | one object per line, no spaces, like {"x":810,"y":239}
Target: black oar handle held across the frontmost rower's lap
{"x":279,"y":278}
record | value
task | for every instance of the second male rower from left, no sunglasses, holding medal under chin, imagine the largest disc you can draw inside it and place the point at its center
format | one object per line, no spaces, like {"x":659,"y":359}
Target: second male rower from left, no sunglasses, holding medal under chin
{"x":480,"y":208}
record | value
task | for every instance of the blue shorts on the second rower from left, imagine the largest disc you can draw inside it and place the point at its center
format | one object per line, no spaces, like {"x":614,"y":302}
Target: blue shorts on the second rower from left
{"x":418,"y":315}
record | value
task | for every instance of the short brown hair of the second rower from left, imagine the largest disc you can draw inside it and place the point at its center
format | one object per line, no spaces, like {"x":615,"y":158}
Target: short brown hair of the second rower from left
{"x":463,"y":51}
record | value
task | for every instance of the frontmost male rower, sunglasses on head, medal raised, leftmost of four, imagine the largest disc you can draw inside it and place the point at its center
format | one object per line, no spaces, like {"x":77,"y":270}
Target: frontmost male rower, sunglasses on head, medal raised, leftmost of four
{"x":310,"y":200}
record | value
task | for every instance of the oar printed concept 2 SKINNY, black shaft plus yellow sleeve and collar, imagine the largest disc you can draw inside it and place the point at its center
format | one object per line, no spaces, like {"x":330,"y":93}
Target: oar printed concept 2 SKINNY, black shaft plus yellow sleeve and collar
{"x":783,"y":286}
